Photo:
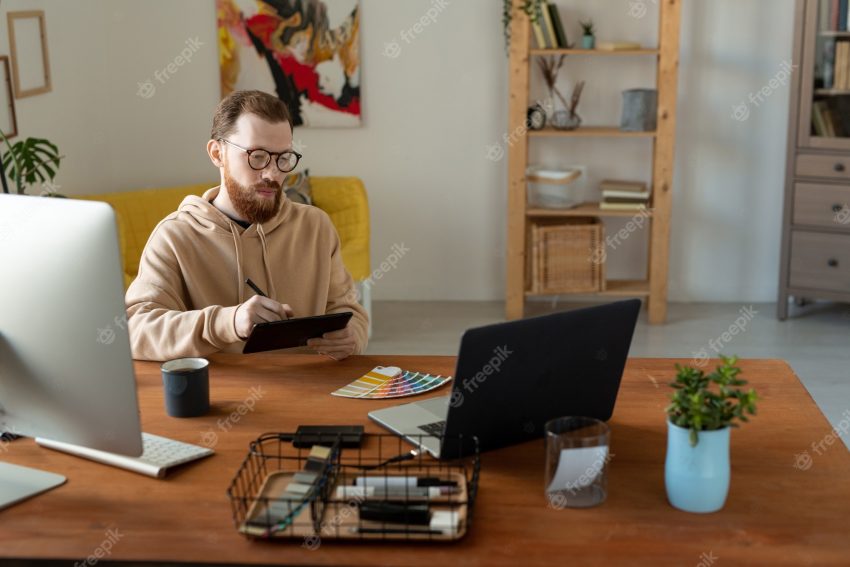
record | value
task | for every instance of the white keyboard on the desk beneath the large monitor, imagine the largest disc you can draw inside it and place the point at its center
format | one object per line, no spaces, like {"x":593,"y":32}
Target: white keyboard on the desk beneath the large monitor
{"x":159,"y":454}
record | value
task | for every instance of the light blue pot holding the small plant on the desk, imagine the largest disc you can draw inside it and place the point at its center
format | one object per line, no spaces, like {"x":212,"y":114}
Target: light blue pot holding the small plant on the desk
{"x":697,"y":478}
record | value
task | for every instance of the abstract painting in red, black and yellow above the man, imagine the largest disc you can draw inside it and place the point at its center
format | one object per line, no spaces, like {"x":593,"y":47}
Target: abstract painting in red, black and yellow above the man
{"x":305,"y":51}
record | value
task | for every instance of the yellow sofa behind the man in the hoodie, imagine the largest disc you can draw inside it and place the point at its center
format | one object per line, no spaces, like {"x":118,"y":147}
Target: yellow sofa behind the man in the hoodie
{"x":343,"y":198}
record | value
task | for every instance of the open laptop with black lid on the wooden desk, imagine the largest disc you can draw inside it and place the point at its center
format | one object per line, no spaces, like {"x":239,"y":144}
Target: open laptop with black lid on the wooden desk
{"x":511,"y":378}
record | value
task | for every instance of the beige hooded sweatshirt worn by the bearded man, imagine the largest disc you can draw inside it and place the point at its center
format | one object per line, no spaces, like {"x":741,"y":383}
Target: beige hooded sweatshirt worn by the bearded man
{"x":192,"y":272}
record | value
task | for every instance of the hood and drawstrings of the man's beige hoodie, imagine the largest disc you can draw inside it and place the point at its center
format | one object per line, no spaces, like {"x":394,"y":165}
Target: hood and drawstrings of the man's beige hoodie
{"x":204,"y":216}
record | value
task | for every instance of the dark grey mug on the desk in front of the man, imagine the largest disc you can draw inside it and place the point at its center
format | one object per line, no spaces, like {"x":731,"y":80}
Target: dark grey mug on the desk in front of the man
{"x":186,"y":382}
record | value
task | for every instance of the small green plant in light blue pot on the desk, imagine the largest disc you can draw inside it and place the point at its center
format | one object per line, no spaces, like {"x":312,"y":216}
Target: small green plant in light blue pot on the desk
{"x":704,"y":408}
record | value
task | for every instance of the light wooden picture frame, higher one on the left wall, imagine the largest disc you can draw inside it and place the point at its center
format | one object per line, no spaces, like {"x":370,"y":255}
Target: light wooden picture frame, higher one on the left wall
{"x":28,"y":46}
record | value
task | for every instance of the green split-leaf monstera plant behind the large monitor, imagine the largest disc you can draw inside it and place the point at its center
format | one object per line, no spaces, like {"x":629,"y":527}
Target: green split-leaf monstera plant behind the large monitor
{"x":29,"y":161}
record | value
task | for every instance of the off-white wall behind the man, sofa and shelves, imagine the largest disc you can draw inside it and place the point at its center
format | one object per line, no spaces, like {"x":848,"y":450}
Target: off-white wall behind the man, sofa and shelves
{"x":429,"y":116}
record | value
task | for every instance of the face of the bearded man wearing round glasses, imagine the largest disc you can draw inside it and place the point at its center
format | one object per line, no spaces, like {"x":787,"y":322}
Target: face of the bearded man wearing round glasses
{"x":255,"y":195}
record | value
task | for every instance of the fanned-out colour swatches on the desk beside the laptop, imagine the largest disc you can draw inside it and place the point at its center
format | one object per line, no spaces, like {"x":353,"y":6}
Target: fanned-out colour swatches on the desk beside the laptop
{"x":391,"y":382}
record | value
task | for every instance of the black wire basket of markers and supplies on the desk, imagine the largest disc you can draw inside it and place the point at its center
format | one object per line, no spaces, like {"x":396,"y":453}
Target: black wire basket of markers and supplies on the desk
{"x":381,"y":490}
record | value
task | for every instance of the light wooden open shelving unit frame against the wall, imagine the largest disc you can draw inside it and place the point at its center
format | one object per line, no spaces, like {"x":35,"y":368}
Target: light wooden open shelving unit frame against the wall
{"x":654,"y":288}
